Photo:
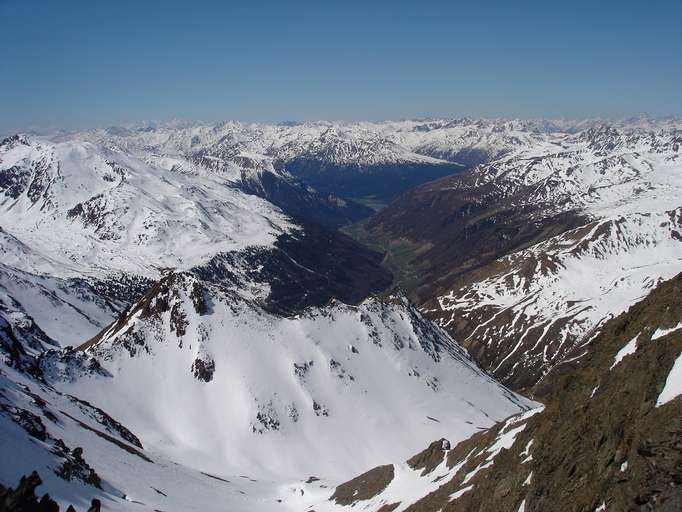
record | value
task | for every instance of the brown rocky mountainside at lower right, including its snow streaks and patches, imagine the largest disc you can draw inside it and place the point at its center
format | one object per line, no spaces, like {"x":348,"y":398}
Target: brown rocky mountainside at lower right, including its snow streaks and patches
{"x":609,"y":437}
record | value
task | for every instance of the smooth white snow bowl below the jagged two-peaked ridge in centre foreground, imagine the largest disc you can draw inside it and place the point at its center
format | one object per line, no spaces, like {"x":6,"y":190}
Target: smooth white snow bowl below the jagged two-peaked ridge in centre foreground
{"x":328,"y":392}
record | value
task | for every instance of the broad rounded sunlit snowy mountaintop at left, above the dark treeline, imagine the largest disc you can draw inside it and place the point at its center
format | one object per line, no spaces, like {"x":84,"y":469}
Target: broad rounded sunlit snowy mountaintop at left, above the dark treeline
{"x":106,"y":210}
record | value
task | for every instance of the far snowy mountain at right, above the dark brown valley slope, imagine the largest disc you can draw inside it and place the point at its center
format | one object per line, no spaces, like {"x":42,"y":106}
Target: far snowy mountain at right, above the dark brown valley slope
{"x":599,"y":171}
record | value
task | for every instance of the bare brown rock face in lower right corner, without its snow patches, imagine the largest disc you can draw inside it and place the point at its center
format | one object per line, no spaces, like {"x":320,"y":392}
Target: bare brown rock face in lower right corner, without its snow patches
{"x":604,"y":438}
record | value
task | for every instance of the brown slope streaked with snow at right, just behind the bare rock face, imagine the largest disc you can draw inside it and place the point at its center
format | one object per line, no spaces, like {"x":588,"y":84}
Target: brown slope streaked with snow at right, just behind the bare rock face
{"x":538,"y":304}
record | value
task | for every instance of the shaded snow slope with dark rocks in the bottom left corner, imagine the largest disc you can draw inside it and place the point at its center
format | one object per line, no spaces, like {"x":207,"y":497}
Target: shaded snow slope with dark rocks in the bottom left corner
{"x":42,"y":430}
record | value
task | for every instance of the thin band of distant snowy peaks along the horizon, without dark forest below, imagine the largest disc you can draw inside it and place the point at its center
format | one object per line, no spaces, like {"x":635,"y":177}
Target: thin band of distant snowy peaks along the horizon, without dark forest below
{"x":365,"y":144}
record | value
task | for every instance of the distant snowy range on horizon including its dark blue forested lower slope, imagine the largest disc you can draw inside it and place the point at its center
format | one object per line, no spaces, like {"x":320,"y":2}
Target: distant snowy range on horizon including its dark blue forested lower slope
{"x":381,"y":159}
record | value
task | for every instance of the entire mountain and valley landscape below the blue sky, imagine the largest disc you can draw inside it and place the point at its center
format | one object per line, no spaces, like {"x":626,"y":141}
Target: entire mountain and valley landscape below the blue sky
{"x":421,"y":315}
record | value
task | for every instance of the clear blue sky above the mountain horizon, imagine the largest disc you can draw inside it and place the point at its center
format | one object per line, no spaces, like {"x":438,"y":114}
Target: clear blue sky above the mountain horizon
{"x":76,"y":64}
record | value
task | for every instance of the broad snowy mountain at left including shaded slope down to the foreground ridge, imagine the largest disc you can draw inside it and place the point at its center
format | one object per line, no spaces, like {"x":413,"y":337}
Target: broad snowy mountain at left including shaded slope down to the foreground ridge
{"x":86,"y":228}
